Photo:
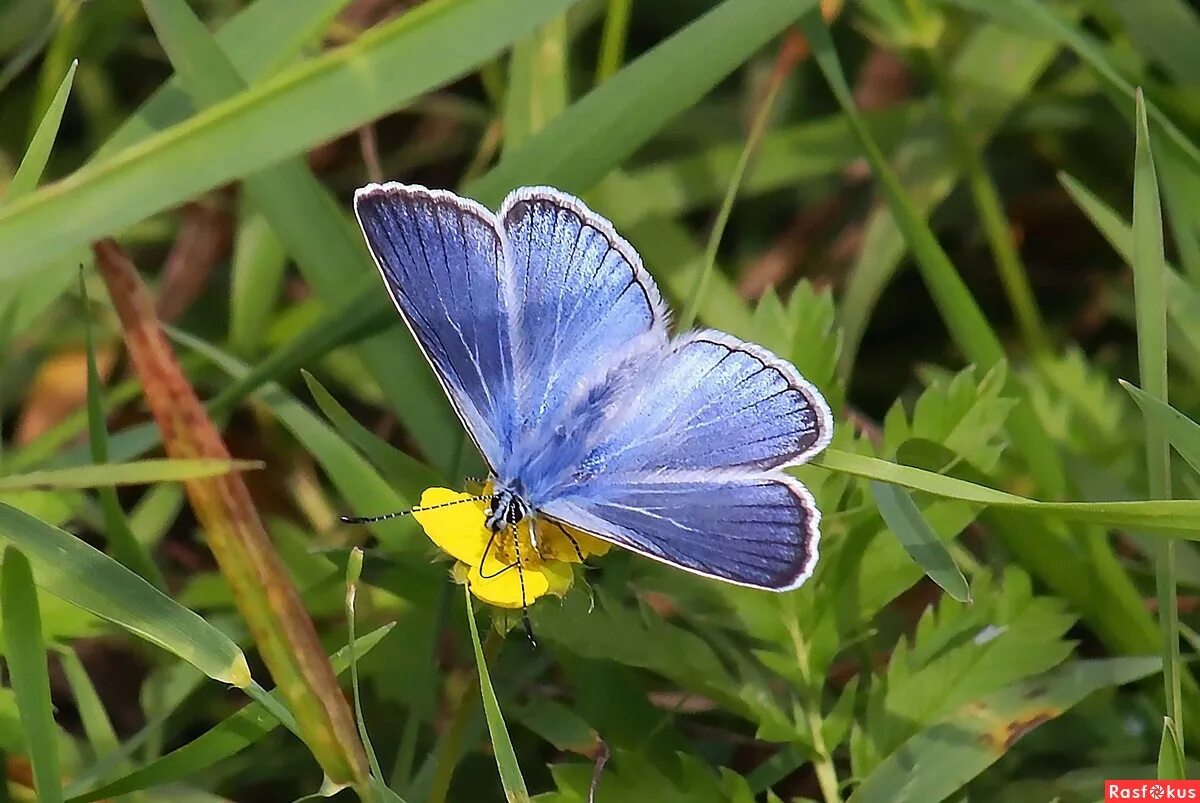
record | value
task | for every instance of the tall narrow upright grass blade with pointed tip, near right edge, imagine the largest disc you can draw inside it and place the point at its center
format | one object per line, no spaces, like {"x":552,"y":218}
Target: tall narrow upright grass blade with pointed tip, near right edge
{"x":1150,"y":303}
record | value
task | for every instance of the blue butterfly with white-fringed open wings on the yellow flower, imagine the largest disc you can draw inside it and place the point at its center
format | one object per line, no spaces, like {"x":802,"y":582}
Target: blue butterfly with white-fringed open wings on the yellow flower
{"x":551,"y":341}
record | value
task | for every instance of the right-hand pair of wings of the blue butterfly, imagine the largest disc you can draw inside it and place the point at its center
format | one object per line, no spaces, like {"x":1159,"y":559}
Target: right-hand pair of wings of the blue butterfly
{"x":688,"y":471}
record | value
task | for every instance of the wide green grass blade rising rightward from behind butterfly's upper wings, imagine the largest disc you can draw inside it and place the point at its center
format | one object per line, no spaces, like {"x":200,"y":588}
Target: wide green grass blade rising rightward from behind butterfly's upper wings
{"x":607,"y":127}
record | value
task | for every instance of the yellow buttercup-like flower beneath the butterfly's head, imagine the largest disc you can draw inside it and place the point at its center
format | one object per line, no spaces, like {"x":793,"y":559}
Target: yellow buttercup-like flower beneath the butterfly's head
{"x":460,"y":531}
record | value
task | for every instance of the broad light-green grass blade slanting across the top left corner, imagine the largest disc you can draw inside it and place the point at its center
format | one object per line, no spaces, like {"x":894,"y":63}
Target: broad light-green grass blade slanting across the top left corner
{"x":280,"y":118}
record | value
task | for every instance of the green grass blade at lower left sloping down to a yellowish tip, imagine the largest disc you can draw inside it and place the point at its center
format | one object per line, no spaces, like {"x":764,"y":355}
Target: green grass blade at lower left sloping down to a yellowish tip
{"x":82,"y":576}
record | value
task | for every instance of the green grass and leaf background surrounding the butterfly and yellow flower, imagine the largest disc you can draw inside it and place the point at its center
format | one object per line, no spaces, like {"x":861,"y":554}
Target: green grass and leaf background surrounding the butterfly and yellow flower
{"x":949,"y":214}
